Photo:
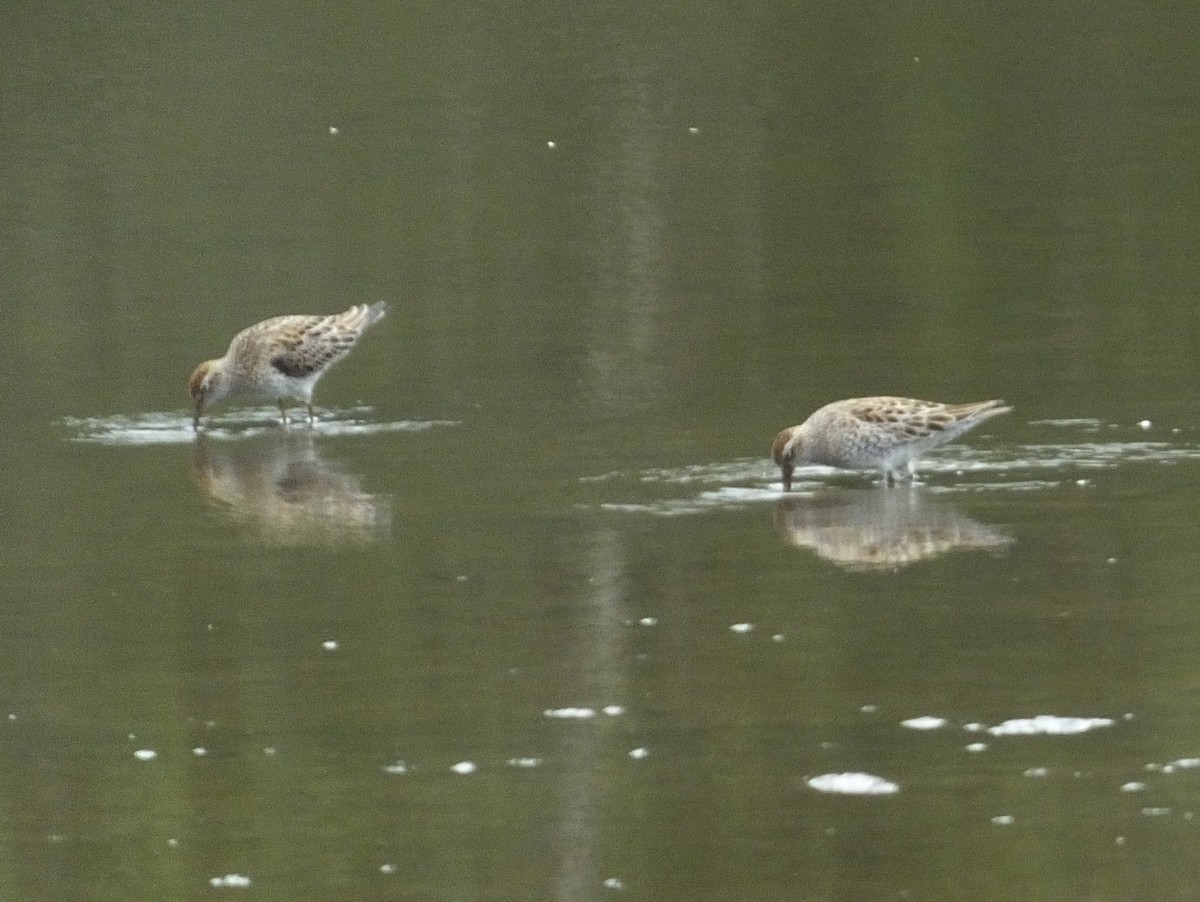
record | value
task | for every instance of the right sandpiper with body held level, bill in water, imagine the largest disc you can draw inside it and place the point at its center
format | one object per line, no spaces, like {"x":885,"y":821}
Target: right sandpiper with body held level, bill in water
{"x":880,"y":434}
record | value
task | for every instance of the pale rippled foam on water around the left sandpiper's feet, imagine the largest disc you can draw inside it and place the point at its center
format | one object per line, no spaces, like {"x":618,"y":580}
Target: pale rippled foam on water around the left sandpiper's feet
{"x":176,"y":429}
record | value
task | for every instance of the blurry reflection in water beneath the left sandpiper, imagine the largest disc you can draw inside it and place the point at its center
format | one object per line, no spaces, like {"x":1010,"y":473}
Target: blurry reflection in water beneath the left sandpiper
{"x":279,"y":485}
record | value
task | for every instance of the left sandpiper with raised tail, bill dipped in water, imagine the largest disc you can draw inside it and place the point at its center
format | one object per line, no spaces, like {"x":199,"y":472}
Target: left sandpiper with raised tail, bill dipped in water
{"x":281,"y":359}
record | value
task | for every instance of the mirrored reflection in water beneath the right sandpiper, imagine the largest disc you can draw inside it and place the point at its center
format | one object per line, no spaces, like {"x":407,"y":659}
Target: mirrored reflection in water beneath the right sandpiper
{"x":881,"y":530}
